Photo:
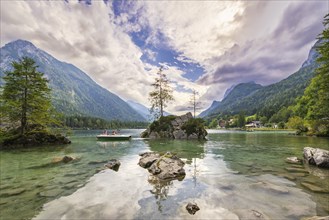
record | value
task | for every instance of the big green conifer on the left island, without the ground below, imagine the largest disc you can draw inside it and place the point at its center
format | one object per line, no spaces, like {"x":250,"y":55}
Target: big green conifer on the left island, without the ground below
{"x":26,"y":97}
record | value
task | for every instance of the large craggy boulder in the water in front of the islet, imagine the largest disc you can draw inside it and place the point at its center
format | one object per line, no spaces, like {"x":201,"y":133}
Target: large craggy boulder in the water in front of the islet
{"x":165,"y":167}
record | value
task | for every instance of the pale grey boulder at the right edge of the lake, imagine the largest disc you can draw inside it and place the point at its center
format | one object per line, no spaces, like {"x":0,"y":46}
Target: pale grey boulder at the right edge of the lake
{"x":317,"y":156}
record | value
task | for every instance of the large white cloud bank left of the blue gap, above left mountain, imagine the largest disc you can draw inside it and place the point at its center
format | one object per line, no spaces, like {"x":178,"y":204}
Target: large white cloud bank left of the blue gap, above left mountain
{"x":81,"y":34}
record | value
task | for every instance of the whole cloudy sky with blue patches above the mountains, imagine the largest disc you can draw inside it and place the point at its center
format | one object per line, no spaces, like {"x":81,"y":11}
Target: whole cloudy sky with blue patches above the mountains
{"x":206,"y":46}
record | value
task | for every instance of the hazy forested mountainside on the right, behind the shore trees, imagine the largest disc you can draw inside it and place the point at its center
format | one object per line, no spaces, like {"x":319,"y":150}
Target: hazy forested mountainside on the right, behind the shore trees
{"x":269,"y":99}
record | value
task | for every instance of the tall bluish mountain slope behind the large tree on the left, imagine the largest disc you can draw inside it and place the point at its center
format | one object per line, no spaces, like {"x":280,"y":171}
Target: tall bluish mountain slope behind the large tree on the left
{"x":73,"y":91}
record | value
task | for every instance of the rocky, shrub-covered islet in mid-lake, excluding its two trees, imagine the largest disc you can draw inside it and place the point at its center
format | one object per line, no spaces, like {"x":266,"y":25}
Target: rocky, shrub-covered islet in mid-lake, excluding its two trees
{"x":176,"y":127}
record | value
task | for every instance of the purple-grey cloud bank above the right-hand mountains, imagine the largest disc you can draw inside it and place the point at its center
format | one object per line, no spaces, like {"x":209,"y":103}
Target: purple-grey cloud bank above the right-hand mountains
{"x":272,"y":56}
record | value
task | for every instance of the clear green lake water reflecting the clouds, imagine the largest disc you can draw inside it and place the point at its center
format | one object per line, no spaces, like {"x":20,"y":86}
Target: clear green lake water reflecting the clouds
{"x":232,"y":175}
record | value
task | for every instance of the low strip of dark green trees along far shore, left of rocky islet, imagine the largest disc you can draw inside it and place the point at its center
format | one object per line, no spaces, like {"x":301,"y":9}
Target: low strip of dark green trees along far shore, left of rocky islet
{"x":85,"y":122}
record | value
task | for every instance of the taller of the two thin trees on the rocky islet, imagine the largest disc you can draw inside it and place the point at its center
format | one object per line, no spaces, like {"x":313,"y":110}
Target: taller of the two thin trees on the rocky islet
{"x":161,"y":95}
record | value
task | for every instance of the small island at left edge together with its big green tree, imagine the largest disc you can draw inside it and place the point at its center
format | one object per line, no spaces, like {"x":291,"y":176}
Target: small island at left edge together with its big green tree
{"x":27,"y":115}
